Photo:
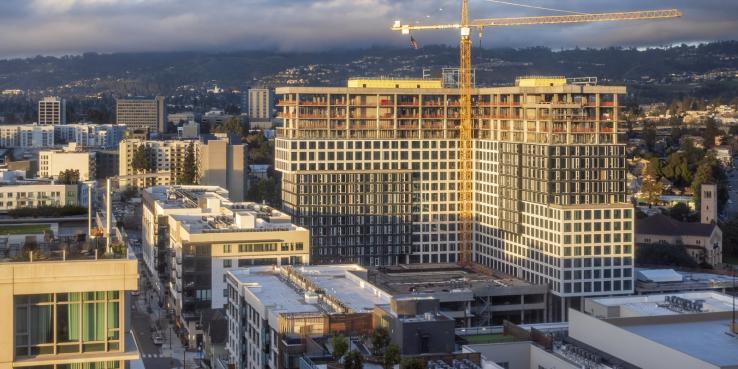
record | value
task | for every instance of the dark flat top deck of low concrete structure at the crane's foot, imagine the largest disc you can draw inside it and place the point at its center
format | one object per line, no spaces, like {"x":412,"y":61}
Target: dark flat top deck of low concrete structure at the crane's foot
{"x":434,"y":278}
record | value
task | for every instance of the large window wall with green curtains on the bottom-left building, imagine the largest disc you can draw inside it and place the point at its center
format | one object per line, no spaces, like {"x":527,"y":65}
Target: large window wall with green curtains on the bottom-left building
{"x":63,"y":323}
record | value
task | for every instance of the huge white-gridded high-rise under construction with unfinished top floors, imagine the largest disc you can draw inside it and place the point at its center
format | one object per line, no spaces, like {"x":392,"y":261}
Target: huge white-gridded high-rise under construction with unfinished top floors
{"x":371,"y":170}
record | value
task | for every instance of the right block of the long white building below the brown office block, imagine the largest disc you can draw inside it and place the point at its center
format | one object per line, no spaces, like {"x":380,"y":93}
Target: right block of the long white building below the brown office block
{"x":106,"y":136}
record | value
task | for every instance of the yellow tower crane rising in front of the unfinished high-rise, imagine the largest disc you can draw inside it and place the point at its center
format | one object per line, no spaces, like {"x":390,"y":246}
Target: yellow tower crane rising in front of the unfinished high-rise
{"x":466,"y":162}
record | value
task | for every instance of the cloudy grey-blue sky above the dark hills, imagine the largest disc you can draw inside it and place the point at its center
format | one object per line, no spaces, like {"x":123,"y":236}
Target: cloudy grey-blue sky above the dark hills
{"x":58,"y":27}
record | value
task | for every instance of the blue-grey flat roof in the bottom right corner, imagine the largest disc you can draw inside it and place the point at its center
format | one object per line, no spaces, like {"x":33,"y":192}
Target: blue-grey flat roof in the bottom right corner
{"x":705,"y":340}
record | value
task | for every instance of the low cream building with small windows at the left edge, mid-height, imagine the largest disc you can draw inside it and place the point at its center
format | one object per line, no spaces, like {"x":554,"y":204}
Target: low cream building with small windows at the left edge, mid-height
{"x":35,"y":195}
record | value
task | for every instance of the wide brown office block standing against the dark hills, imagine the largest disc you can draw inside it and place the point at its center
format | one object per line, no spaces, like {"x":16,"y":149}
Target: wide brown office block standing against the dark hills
{"x":143,"y":114}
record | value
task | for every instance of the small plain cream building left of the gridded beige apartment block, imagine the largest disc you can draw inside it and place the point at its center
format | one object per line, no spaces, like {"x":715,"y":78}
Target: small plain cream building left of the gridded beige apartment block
{"x":53,"y":162}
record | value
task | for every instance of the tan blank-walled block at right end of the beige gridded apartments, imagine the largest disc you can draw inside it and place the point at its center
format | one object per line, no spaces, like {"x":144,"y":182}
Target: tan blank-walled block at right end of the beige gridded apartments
{"x":223,"y":163}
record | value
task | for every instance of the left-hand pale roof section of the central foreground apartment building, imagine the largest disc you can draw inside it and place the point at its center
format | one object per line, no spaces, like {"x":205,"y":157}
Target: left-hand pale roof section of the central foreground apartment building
{"x":272,"y":291}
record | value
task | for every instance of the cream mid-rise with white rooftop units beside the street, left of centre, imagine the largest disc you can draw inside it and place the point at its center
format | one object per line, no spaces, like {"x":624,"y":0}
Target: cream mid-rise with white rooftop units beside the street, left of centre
{"x":193,"y":235}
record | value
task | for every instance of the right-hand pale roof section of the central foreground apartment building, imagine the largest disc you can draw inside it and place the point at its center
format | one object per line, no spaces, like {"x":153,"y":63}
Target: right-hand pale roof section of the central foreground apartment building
{"x":339,"y":282}
